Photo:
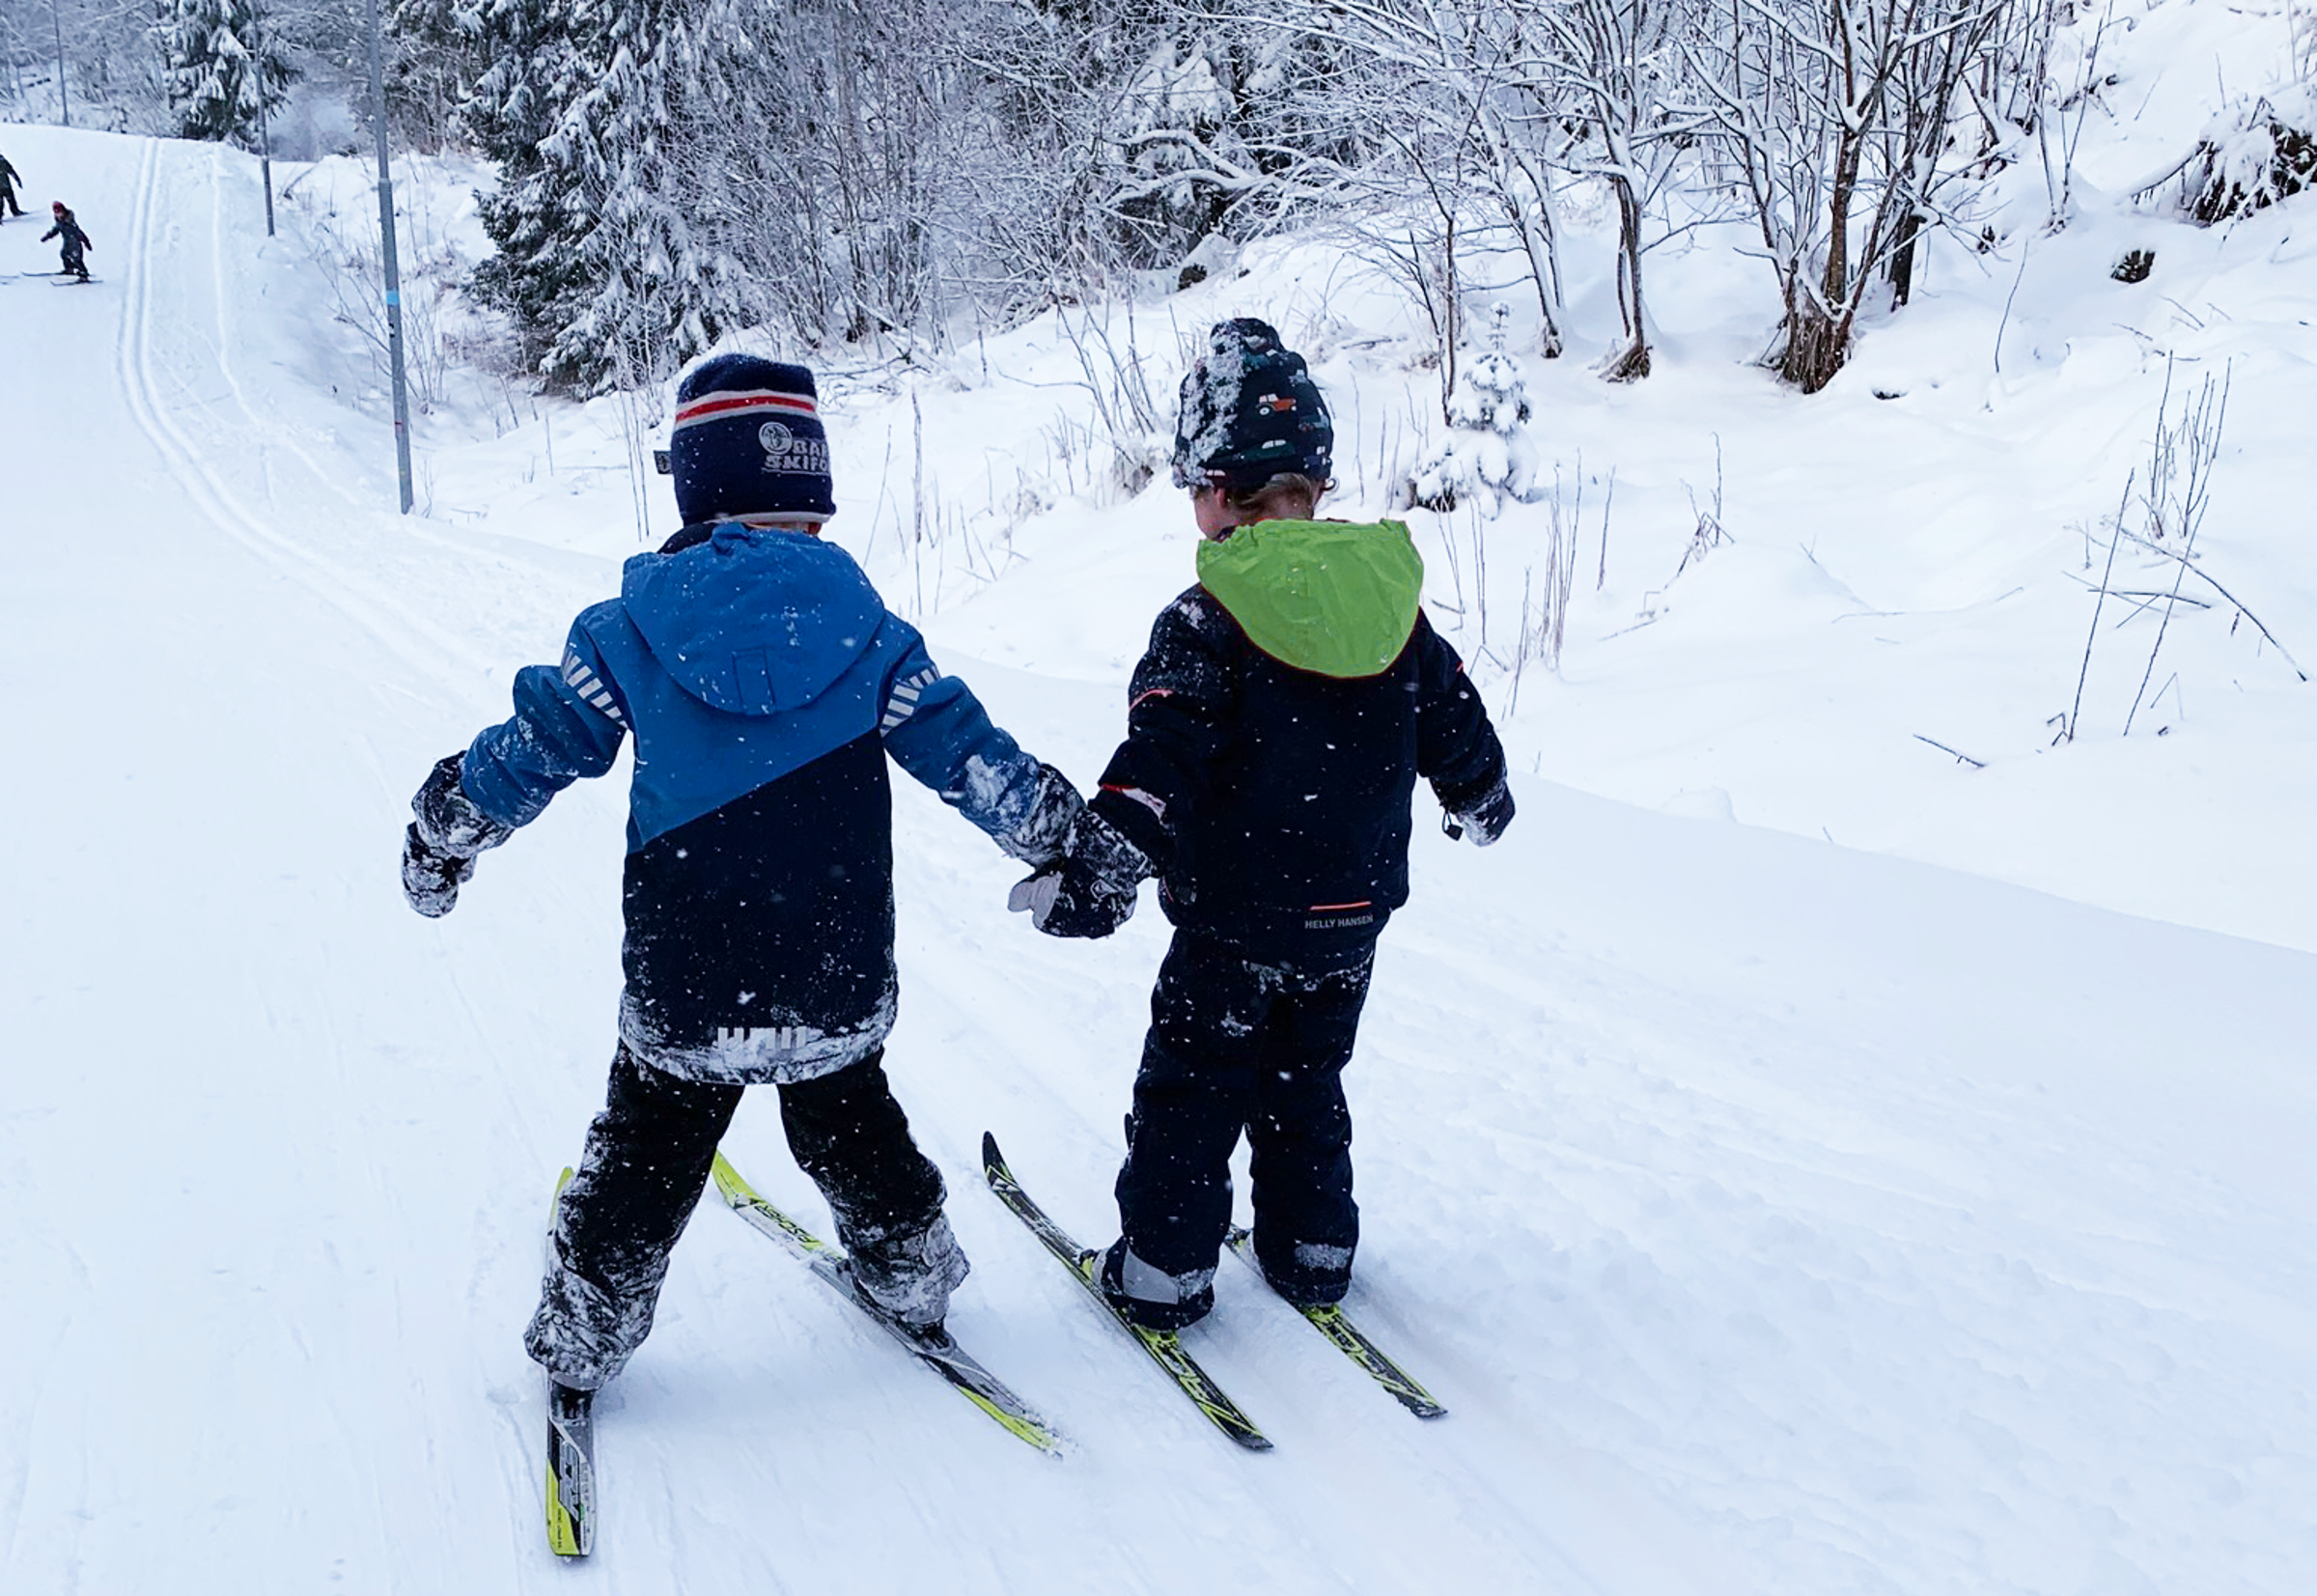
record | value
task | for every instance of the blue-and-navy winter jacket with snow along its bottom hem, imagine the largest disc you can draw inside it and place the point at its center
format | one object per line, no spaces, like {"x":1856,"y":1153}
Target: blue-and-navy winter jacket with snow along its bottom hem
{"x":766,"y":684}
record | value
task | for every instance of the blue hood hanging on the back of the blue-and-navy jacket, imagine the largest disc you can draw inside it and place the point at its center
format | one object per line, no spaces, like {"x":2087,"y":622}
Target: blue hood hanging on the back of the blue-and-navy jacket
{"x":754,"y":622}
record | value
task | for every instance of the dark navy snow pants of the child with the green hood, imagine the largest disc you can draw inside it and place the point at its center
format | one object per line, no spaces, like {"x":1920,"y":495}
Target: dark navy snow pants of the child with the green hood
{"x":1262,"y":1048}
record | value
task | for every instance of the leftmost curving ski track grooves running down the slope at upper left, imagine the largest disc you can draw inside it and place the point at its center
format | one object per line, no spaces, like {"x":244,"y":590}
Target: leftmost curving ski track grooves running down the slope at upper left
{"x":395,"y":627}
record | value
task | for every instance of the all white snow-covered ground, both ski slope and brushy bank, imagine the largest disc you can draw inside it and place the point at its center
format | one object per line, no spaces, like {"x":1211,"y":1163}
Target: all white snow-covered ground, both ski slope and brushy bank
{"x":1801,"y":1162}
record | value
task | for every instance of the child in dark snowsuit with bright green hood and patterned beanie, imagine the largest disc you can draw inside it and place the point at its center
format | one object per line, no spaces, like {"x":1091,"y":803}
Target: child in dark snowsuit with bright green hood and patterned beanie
{"x":1276,"y":733}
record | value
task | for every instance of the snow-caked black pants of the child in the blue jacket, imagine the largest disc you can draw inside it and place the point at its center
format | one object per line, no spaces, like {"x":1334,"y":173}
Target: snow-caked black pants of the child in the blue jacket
{"x":648,"y":1159}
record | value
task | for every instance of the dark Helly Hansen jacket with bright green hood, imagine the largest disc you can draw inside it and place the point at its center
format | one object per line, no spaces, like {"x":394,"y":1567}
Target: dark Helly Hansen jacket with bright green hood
{"x":1276,"y":733}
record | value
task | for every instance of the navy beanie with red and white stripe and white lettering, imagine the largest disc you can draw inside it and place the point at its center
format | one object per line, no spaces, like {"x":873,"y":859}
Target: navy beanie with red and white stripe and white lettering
{"x":750,"y":441}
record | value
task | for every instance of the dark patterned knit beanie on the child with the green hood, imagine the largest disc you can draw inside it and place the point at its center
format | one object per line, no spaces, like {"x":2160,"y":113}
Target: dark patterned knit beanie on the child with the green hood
{"x":1250,"y":411}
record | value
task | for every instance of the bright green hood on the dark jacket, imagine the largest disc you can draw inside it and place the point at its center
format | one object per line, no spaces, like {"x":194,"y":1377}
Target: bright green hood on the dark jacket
{"x":1336,"y":599}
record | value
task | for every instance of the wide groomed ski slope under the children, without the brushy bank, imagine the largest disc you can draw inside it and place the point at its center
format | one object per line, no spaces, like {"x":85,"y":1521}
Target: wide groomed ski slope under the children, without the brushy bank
{"x":1769,"y":1217}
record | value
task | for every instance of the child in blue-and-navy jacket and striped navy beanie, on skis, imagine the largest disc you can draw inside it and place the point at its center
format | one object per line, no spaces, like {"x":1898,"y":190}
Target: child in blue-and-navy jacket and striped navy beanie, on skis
{"x":766,"y":687}
